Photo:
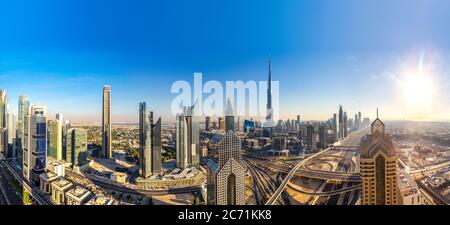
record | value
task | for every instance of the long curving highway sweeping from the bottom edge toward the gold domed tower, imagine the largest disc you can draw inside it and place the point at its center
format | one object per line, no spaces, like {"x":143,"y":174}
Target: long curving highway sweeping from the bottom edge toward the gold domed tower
{"x":352,"y":140}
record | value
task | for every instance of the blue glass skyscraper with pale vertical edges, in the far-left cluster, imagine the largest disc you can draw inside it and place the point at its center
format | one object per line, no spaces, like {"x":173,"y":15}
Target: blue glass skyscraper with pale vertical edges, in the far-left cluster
{"x":37,"y":137}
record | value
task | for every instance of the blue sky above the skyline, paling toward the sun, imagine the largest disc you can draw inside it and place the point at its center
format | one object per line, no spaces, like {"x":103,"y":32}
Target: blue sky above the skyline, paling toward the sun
{"x":324,"y":53}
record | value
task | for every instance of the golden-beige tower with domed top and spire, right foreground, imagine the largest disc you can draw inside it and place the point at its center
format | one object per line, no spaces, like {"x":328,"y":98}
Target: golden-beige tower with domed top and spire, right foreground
{"x":378,"y":167}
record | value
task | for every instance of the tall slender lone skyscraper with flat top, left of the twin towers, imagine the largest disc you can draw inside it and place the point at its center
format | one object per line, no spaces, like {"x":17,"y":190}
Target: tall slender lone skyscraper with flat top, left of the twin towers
{"x":106,"y":123}
